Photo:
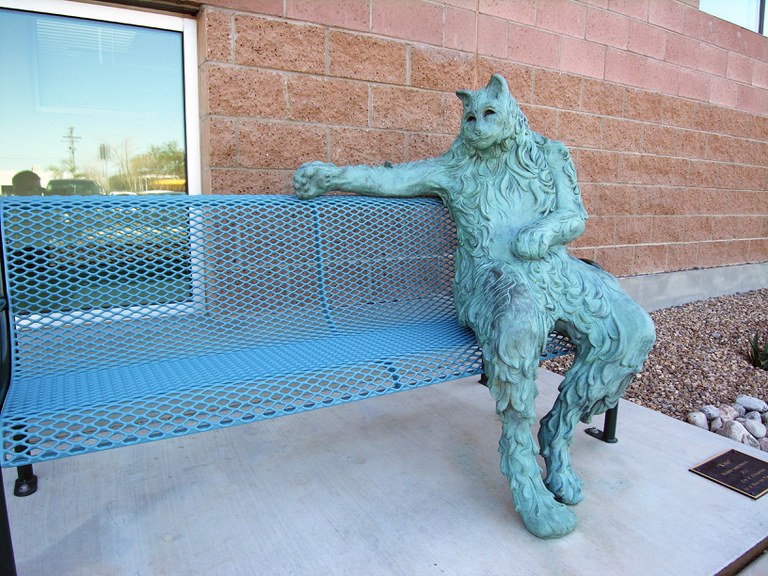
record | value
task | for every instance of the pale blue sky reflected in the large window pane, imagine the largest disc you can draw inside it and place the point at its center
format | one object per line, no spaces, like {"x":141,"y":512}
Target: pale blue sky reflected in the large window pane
{"x":114,"y":84}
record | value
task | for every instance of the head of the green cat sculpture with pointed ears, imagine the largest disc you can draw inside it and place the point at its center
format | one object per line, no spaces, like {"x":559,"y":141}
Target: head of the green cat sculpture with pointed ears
{"x":491,"y":115}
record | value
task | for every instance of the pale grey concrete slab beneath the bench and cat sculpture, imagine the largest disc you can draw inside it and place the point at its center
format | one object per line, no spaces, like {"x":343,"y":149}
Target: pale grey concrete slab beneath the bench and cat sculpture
{"x":405,"y":484}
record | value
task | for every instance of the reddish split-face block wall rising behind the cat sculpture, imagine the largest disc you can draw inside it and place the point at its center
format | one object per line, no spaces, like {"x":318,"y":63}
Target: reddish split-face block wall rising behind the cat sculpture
{"x":664,"y":108}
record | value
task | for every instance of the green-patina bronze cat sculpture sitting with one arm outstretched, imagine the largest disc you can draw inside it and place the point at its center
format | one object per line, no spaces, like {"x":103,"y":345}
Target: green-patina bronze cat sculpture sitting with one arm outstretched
{"x":515,"y":201}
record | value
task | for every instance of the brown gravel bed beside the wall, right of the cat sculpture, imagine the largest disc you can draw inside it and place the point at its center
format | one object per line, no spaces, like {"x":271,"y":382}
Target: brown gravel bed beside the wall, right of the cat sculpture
{"x":700,"y":355}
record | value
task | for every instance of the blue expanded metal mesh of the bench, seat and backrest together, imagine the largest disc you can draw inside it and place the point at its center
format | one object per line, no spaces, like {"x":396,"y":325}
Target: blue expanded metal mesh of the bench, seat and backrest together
{"x":140,"y":318}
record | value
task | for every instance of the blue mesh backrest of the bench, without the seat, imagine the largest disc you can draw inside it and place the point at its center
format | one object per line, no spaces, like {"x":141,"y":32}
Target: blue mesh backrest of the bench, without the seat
{"x":94,"y":282}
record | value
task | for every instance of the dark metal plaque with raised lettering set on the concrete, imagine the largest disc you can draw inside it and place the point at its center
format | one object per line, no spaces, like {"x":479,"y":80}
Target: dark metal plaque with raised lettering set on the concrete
{"x":738,"y":471}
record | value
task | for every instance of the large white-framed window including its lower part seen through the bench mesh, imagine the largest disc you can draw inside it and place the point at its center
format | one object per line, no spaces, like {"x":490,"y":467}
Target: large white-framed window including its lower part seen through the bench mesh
{"x":98,"y":101}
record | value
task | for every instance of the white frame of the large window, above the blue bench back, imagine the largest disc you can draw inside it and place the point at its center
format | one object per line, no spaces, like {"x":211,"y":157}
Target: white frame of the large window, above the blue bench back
{"x":187,"y":26}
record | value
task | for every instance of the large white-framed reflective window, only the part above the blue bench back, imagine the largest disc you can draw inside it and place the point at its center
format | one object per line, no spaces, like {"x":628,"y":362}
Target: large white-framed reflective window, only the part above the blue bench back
{"x":96,"y":100}
